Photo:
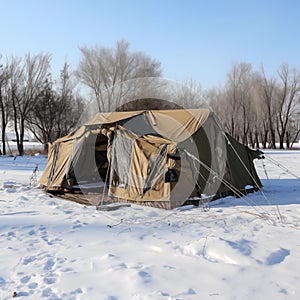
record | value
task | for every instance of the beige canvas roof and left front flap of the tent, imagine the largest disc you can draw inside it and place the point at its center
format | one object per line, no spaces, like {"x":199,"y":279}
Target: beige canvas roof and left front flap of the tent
{"x":175,"y":125}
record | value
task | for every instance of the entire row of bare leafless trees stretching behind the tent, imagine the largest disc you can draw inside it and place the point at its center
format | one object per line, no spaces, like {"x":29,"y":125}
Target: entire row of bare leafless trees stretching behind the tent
{"x":256,"y":109}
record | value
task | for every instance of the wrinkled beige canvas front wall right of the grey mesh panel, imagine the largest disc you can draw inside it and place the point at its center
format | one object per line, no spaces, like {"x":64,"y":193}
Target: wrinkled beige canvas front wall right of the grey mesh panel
{"x":146,"y":150}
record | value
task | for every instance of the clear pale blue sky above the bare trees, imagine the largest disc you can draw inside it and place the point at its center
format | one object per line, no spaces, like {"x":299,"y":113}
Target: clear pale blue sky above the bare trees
{"x":192,"y":39}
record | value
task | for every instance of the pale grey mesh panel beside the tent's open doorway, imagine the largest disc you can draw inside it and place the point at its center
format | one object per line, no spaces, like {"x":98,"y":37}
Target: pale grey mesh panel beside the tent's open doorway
{"x":121,"y":160}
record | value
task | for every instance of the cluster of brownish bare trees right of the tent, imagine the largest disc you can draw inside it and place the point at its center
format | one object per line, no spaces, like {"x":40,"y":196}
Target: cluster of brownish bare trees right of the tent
{"x":259,"y":110}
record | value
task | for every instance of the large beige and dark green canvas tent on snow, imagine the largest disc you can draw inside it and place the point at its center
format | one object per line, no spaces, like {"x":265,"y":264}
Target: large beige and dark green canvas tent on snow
{"x":161,"y":158}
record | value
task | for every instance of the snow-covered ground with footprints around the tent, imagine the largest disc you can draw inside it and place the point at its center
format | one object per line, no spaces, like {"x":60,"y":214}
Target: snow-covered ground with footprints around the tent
{"x":246,"y":248}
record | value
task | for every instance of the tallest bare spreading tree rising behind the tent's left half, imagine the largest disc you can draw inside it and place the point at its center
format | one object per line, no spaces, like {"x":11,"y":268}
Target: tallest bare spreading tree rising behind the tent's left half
{"x":104,"y":70}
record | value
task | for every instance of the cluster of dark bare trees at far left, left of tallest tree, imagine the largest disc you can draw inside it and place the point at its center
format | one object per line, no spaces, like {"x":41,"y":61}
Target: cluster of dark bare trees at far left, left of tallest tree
{"x":31,"y":100}
